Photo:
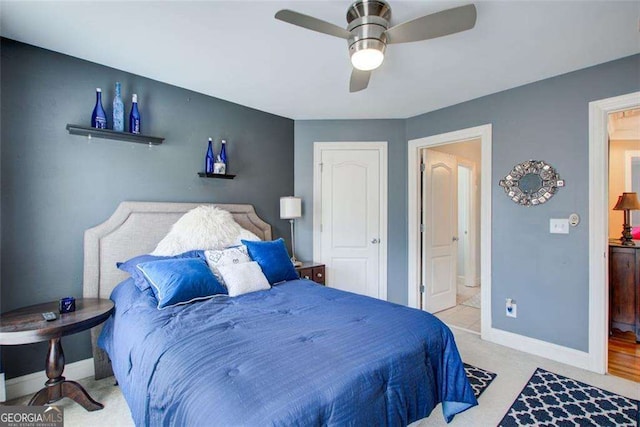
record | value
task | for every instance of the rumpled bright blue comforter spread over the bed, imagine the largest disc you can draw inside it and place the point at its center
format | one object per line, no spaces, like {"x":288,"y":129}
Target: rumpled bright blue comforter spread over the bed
{"x":297,"y":354}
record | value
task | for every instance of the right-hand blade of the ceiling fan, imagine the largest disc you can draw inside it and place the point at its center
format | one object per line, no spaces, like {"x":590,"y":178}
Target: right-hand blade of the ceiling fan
{"x":437,"y":24}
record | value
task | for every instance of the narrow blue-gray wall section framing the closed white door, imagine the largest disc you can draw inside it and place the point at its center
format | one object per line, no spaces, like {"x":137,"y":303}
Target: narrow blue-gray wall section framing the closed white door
{"x":392,"y":131}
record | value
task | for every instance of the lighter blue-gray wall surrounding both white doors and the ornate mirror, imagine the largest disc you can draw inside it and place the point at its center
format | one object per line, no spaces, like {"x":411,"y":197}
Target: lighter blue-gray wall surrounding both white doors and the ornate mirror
{"x":548,"y":120}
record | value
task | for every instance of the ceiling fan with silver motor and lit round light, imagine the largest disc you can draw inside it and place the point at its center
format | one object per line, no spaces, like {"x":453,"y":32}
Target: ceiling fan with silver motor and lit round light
{"x":368,"y":32}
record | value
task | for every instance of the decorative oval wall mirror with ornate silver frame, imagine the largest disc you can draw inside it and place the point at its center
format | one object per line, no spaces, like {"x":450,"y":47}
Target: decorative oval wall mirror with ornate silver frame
{"x":531,"y":183}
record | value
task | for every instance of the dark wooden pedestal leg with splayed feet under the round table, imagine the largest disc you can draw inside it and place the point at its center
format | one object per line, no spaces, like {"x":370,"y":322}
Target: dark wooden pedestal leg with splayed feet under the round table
{"x":57,"y":387}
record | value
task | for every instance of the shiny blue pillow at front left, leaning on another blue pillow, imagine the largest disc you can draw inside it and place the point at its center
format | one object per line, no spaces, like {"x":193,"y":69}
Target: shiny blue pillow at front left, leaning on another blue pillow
{"x":181,"y":281}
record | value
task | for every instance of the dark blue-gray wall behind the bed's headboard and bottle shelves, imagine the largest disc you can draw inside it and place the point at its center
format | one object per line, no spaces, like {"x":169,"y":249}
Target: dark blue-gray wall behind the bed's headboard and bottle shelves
{"x":56,"y":185}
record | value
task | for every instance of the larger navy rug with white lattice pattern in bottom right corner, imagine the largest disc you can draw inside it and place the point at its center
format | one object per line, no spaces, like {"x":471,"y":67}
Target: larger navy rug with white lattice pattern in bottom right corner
{"x":550,"y":399}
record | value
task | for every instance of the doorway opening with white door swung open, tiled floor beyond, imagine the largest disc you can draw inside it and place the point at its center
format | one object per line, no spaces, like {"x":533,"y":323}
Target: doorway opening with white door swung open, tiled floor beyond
{"x":464,"y":308}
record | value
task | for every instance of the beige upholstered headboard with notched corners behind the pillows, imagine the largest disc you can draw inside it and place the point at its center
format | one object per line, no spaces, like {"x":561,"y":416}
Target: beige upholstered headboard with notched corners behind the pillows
{"x":135,"y":228}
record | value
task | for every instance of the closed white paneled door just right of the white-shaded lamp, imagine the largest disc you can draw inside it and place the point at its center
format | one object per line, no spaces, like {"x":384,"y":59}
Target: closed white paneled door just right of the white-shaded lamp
{"x":351,"y":233}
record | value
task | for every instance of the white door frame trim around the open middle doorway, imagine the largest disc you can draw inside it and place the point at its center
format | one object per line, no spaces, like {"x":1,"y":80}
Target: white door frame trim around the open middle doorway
{"x":415,"y":239}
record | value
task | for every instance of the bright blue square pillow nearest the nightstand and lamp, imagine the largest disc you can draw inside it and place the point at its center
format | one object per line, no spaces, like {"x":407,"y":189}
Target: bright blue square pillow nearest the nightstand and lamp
{"x":273,"y":258}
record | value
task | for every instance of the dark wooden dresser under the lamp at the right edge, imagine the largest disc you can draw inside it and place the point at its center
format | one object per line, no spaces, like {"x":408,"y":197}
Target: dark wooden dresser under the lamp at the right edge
{"x":624,"y":288}
